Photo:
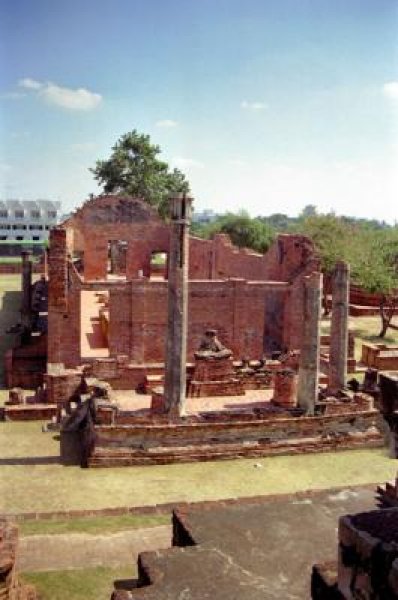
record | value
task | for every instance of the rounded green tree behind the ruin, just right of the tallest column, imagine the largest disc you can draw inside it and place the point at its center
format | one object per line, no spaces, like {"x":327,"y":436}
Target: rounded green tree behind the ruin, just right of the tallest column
{"x":244,"y":231}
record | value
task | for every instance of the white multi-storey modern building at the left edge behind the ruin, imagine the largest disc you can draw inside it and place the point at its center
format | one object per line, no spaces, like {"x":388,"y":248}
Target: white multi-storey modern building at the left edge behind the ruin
{"x":30,"y":220}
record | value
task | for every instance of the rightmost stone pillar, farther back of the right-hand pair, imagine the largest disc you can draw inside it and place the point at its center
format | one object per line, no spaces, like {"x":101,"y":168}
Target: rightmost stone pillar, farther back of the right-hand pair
{"x":339,"y":327}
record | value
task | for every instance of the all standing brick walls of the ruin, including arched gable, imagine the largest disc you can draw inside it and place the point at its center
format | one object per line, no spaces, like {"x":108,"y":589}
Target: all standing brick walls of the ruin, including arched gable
{"x":254,"y":301}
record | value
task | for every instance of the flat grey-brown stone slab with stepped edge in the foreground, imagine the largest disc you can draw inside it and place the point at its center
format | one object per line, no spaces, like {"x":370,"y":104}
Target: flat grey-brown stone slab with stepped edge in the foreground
{"x":248,"y":551}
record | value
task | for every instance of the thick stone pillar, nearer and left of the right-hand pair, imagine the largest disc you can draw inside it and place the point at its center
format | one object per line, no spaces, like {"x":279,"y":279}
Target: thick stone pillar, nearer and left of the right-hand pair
{"x":309,"y":354}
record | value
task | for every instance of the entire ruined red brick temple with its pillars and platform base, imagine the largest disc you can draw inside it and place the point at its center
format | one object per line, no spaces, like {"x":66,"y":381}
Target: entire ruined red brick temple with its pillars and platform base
{"x":130,"y":297}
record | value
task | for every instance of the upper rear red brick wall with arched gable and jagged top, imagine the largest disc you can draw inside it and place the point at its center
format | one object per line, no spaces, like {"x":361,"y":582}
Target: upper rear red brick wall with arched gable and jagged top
{"x":107,"y":218}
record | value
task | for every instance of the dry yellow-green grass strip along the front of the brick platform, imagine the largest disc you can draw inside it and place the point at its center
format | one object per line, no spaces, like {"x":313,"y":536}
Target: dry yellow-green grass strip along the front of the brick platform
{"x":51,"y":486}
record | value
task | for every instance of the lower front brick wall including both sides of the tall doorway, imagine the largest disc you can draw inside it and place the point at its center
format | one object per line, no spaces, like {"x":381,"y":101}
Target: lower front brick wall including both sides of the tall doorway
{"x":251,"y":318}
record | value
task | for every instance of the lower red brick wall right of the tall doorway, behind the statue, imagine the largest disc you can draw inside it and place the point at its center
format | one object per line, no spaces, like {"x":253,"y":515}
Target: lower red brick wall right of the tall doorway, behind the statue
{"x":236,"y":308}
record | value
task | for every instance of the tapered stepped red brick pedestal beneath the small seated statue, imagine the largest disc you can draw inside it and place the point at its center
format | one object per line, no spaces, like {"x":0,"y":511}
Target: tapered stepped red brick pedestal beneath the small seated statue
{"x":214,"y":377}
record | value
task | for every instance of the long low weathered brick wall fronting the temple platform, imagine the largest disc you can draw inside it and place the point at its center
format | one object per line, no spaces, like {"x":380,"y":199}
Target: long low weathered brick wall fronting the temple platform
{"x":161,"y":442}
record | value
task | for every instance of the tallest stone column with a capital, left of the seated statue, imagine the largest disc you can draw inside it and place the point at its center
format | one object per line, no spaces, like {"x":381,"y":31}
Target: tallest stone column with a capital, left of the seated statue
{"x":177,"y":320}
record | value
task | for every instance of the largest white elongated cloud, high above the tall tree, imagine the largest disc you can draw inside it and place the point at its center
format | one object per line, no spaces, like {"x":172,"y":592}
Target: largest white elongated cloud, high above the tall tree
{"x":71,"y":99}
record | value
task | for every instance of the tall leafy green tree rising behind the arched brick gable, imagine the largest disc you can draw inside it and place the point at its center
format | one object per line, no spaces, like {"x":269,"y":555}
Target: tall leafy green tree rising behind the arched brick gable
{"x":134,"y":168}
